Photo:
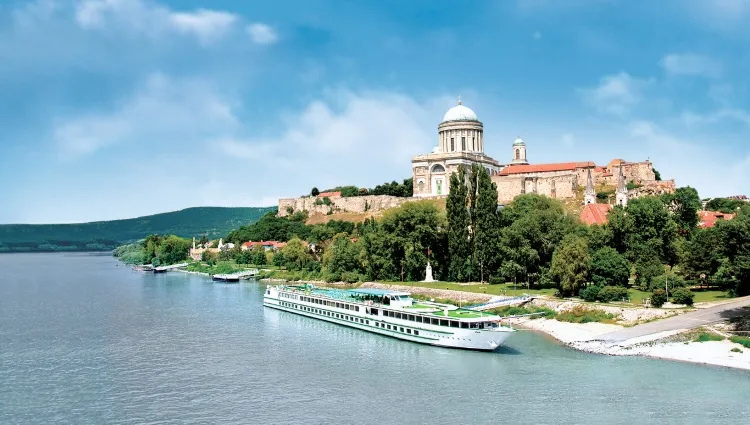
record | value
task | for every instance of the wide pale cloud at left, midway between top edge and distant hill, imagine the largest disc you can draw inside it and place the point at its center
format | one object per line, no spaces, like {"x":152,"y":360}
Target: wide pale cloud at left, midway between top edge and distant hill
{"x":163,"y":111}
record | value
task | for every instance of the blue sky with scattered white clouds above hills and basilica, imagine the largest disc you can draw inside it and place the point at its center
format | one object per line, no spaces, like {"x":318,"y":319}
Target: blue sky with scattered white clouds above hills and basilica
{"x":120,"y":108}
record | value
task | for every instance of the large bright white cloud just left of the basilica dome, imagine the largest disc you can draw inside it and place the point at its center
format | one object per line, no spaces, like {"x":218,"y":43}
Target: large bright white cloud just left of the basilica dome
{"x":335,"y":137}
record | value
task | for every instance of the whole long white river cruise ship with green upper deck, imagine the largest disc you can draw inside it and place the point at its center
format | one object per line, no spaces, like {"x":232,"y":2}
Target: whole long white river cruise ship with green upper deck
{"x":394,"y":314}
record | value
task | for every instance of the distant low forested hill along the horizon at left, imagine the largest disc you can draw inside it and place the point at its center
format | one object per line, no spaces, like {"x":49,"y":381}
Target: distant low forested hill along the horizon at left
{"x":106,"y":235}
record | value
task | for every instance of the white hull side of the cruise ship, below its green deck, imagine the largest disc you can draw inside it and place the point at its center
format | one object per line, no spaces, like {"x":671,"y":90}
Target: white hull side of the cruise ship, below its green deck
{"x":472,"y":339}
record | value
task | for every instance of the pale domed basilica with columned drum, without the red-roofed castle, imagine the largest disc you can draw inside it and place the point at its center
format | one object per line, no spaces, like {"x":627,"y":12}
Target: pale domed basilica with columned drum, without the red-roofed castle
{"x":460,"y":141}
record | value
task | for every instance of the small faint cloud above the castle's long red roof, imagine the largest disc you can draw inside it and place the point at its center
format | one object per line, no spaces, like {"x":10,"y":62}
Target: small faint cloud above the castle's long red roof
{"x":616,"y":94}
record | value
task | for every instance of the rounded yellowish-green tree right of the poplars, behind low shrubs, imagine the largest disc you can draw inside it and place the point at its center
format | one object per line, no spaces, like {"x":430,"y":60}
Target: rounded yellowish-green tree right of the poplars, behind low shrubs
{"x":570,"y":265}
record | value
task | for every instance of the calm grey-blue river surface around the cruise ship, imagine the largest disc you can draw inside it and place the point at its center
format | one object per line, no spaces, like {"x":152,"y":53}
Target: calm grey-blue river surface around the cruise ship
{"x":84,"y":339}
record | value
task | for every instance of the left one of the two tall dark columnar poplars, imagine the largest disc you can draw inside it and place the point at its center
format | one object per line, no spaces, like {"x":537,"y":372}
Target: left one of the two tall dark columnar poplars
{"x":459,"y":246}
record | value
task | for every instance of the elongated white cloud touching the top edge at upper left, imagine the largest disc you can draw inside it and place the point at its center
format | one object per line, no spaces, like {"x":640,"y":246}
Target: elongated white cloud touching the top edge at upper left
{"x":153,"y":20}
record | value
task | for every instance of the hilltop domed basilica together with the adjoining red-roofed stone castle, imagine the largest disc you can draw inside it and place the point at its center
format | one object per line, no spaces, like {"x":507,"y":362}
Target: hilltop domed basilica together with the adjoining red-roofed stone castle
{"x":461,"y":141}
